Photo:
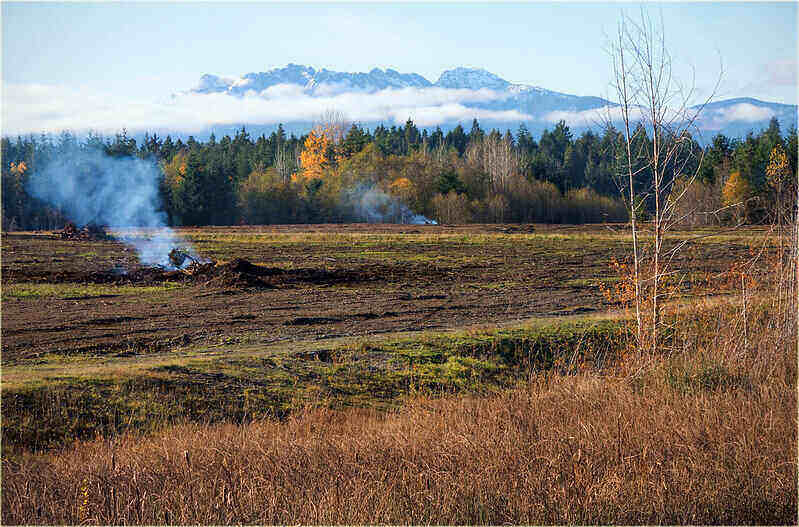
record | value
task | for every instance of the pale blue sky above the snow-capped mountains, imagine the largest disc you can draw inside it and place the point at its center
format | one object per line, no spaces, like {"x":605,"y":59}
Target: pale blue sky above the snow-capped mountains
{"x":126,"y":59}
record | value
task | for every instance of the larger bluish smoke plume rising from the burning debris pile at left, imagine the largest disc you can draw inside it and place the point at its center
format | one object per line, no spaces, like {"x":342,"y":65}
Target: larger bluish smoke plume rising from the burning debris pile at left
{"x":88,"y":186}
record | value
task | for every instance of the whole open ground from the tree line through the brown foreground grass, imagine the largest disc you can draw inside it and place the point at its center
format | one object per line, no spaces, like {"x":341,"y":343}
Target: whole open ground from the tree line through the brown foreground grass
{"x":357,"y":374}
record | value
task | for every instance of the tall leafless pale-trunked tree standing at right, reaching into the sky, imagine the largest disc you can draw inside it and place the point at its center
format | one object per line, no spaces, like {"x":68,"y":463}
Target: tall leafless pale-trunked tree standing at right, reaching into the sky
{"x":650,"y":98}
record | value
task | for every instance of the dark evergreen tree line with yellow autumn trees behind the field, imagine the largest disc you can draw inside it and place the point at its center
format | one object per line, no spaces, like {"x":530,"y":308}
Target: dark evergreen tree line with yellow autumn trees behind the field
{"x":343,"y":173}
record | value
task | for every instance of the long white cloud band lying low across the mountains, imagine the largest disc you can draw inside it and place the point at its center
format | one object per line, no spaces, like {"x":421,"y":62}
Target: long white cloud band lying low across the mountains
{"x":37,"y":108}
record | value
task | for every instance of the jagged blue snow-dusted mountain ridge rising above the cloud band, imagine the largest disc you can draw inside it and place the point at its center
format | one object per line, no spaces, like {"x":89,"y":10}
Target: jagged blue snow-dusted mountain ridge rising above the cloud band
{"x":542,"y":107}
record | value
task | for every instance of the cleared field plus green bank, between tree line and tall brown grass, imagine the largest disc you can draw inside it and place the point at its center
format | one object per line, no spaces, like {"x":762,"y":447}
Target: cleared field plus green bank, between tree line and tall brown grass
{"x":291,"y":316}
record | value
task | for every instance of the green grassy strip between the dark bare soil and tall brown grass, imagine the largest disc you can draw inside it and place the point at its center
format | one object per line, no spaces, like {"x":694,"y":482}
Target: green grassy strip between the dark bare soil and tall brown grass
{"x":240,"y":386}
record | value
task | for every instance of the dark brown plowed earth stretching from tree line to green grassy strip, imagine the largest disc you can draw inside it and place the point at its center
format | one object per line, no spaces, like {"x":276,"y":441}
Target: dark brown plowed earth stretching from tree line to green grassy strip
{"x":282,"y":283}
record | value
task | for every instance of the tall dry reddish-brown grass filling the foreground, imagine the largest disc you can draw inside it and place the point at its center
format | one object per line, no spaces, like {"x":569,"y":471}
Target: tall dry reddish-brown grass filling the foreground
{"x":704,"y":438}
